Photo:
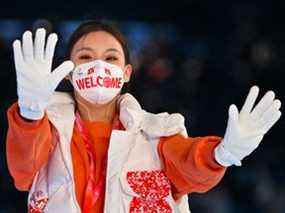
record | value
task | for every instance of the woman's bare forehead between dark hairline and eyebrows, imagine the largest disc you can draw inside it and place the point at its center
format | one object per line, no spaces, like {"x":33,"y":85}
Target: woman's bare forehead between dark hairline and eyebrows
{"x":98,"y":41}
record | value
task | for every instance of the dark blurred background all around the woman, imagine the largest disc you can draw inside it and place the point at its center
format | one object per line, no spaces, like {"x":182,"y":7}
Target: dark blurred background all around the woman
{"x":192,"y":57}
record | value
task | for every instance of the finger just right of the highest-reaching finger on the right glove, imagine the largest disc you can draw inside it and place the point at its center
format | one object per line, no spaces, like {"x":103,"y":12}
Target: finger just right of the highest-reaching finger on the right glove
{"x":263,"y":105}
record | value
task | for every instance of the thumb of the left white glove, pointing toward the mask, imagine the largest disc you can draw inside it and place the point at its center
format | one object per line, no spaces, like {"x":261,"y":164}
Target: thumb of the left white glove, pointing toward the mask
{"x":60,"y":72}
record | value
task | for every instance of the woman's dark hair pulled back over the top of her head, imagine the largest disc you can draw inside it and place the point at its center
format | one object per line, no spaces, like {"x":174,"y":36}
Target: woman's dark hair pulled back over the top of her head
{"x":94,"y":26}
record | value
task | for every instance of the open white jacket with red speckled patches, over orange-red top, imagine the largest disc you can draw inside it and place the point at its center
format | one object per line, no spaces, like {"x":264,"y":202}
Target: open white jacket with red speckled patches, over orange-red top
{"x":132,"y":161}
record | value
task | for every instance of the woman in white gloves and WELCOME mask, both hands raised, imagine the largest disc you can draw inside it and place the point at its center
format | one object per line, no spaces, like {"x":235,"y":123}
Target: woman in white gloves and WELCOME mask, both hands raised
{"x":97,"y":150}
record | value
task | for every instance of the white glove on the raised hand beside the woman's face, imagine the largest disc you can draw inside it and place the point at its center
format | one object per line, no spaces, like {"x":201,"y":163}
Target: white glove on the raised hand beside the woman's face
{"x":35,"y":81}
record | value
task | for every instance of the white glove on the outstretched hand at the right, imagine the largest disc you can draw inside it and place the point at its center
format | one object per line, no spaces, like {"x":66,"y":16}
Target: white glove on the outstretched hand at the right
{"x":246,"y":129}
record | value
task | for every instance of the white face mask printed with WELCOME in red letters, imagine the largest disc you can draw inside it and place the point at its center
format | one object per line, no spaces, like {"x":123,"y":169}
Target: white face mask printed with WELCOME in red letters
{"x":98,"y":81}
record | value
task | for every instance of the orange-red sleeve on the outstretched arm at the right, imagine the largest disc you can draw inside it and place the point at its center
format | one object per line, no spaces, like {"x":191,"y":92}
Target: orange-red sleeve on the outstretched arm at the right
{"x":189,"y":163}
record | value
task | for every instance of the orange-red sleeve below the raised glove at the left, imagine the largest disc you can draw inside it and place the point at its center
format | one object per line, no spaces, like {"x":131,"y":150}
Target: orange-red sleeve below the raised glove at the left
{"x":28,"y":147}
